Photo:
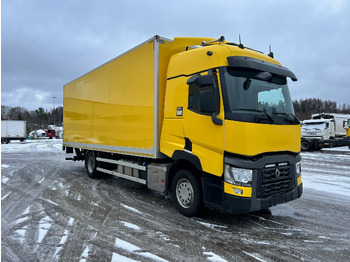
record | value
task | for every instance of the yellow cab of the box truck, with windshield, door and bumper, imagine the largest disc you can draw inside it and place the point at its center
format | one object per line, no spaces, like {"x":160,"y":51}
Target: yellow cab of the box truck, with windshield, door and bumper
{"x":229,"y":117}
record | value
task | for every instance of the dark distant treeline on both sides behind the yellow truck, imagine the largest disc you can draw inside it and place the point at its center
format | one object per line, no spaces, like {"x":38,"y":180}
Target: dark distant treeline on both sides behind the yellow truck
{"x":40,"y":118}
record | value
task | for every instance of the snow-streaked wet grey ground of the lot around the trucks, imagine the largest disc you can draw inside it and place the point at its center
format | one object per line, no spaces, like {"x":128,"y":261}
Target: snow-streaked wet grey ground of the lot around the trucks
{"x":51,"y":211}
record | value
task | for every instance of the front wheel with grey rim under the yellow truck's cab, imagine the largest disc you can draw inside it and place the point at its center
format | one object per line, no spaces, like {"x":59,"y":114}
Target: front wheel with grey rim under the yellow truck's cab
{"x":187,"y":193}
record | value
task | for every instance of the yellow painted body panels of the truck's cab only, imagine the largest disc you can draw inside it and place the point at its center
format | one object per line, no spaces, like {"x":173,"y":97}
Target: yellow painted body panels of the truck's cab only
{"x":210,"y":141}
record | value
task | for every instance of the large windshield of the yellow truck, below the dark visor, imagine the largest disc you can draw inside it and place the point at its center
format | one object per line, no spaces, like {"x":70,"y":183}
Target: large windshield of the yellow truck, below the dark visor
{"x":255,"y":96}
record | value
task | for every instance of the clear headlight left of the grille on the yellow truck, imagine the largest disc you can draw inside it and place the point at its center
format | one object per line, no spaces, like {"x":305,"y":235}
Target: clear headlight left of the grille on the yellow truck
{"x":238,"y":176}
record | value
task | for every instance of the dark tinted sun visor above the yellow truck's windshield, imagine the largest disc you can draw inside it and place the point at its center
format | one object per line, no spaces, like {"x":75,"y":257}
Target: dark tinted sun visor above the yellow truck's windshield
{"x":253,"y":63}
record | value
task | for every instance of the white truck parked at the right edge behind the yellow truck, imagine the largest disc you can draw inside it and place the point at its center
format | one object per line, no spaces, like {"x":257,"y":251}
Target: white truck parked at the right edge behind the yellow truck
{"x":324,"y":130}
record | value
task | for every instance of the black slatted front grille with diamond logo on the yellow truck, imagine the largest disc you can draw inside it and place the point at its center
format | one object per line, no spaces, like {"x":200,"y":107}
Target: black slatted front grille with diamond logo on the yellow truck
{"x":274,"y":179}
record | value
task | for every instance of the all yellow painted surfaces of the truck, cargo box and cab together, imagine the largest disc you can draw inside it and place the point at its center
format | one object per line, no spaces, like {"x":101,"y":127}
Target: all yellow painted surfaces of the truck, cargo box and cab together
{"x":113,"y":106}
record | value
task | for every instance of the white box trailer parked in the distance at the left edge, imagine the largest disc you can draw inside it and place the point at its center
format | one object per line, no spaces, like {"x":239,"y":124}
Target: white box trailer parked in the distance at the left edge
{"x":13,"y":130}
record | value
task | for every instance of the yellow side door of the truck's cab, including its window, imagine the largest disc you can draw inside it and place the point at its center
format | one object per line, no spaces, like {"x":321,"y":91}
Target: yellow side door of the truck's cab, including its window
{"x":203,"y":124}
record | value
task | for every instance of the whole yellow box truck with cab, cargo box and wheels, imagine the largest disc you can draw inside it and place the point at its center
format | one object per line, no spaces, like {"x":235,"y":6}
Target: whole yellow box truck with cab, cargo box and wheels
{"x":207,"y":121}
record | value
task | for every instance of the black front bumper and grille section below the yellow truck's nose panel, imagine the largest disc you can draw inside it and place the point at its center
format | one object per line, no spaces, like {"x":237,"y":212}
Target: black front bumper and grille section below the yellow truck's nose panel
{"x":274,"y":182}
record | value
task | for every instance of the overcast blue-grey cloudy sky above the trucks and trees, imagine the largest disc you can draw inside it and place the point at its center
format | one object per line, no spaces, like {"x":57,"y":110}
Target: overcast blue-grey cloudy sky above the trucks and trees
{"x":46,"y":44}
